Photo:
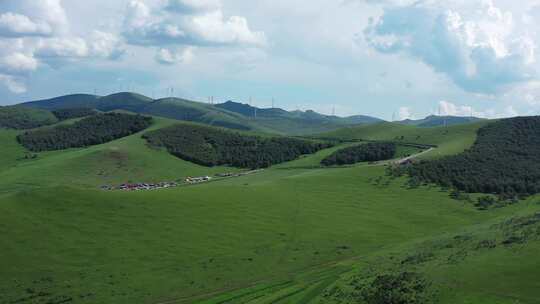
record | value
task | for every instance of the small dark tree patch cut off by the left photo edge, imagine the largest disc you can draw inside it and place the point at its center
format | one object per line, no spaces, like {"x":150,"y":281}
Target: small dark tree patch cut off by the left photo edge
{"x":25,"y":118}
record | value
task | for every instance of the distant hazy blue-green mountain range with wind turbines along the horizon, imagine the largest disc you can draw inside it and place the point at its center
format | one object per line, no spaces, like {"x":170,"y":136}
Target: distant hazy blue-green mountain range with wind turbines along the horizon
{"x":233,"y":115}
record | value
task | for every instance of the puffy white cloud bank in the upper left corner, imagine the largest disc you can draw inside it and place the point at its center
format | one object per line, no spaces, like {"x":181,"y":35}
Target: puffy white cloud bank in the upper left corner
{"x":37,"y":32}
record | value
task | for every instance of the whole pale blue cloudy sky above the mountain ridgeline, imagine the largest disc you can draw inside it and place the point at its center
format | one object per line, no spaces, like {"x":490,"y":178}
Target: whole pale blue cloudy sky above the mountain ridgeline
{"x":394,"y":59}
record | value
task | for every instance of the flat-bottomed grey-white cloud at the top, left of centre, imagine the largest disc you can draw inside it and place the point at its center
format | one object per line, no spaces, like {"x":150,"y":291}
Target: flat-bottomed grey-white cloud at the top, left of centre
{"x":187,"y":23}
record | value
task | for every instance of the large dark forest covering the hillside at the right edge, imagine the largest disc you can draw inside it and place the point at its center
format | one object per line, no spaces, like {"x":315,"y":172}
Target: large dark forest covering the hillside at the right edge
{"x":505,"y":160}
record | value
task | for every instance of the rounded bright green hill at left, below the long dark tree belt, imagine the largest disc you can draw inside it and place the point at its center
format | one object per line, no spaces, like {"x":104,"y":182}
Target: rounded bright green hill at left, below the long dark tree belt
{"x":126,"y":160}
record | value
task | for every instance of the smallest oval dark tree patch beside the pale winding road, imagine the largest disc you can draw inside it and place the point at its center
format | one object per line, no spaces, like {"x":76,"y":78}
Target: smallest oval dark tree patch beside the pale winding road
{"x":361,"y":153}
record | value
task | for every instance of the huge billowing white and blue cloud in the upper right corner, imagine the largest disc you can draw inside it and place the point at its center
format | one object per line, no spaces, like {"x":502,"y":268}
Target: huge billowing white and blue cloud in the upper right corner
{"x":480,"y":47}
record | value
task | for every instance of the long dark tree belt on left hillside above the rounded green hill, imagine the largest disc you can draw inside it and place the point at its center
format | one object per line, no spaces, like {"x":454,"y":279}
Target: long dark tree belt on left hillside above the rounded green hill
{"x":89,"y":131}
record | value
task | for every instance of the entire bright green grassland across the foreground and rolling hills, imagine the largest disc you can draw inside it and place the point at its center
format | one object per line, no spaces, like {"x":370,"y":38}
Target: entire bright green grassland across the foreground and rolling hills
{"x":279,"y":236}
